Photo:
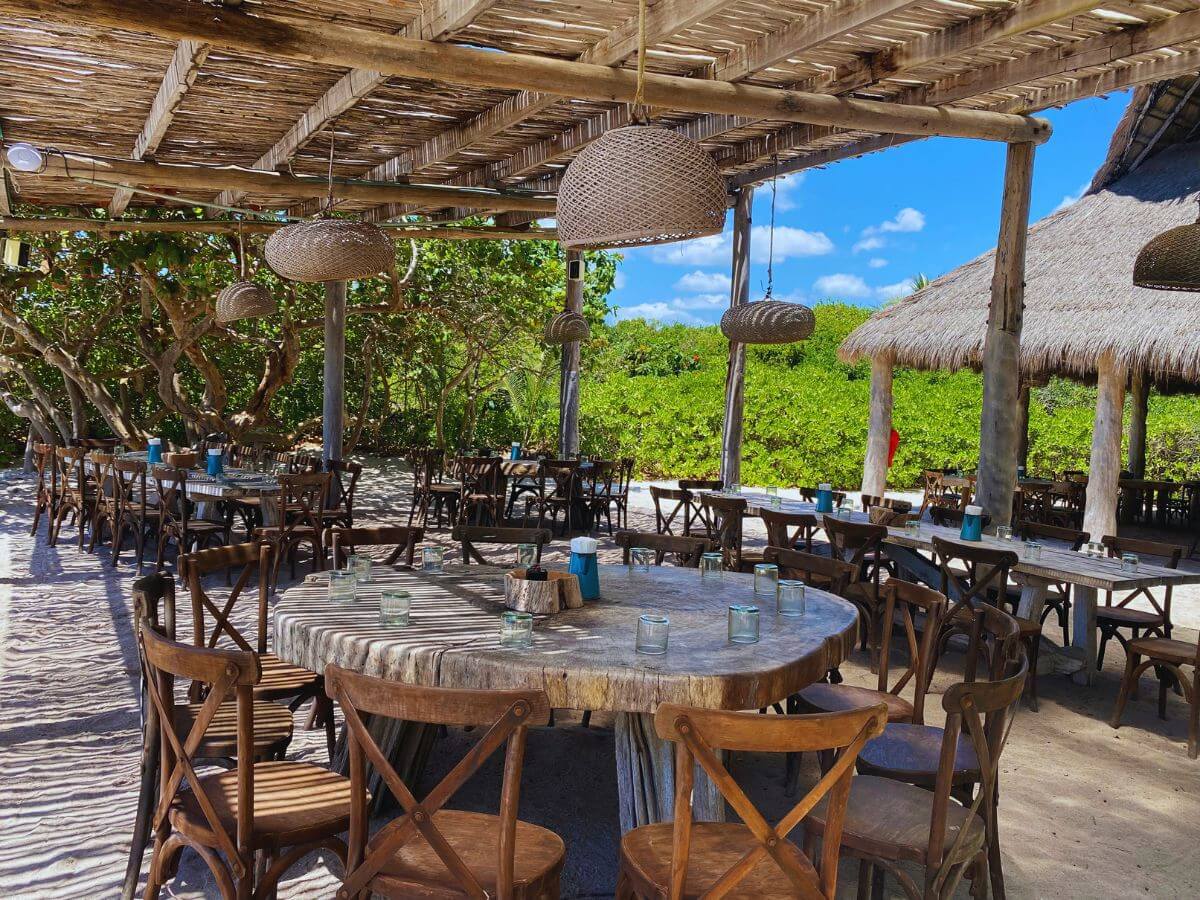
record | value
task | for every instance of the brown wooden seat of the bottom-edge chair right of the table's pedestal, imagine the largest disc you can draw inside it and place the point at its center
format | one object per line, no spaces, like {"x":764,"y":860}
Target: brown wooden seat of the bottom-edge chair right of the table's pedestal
{"x":716,"y":848}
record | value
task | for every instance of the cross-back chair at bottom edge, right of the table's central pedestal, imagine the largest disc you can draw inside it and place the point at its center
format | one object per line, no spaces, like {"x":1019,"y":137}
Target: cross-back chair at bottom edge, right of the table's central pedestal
{"x":753,"y":857}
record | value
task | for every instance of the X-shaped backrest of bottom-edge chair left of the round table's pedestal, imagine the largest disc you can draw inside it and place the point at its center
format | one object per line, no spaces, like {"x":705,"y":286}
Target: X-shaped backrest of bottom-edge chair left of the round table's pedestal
{"x":505,"y":717}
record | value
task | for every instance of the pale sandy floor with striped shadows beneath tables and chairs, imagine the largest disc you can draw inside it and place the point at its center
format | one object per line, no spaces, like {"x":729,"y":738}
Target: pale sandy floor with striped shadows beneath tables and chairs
{"x":1085,"y":813}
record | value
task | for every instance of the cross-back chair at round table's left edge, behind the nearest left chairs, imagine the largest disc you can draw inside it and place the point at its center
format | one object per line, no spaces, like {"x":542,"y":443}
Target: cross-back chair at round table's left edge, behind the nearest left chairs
{"x":281,"y":681}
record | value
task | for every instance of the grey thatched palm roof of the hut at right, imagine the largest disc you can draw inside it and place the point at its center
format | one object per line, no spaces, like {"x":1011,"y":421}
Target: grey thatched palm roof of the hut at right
{"x":1079,"y":299}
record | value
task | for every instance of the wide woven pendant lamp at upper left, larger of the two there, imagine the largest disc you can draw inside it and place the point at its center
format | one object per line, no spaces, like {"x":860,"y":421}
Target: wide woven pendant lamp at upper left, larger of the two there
{"x":328,"y":249}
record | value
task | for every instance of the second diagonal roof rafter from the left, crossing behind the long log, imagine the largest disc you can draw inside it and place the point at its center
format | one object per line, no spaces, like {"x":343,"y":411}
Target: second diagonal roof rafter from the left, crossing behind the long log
{"x":443,"y":21}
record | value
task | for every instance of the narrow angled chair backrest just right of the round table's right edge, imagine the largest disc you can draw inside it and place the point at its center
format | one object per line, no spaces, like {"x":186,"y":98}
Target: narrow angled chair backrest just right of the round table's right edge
{"x":911,"y":604}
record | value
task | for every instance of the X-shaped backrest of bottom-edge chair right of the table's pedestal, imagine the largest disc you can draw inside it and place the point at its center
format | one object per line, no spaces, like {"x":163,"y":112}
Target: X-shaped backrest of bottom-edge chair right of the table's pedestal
{"x":700,"y":735}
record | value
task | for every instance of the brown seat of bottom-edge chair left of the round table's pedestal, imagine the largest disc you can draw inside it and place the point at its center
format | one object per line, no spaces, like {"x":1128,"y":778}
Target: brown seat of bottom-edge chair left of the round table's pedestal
{"x":416,"y":871}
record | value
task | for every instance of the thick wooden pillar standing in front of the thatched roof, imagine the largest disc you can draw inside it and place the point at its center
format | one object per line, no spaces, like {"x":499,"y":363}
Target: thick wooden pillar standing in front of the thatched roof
{"x":1003,"y":347}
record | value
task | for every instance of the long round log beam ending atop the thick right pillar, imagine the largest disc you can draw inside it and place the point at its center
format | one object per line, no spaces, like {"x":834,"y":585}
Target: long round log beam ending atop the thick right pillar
{"x":337,"y":45}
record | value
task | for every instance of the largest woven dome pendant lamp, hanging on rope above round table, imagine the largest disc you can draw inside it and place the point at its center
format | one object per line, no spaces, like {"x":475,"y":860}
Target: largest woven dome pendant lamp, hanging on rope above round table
{"x":640,"y":185}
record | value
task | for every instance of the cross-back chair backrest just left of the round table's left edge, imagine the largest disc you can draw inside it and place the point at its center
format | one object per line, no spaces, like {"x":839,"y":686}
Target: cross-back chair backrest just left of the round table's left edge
{"x":254,"y":557}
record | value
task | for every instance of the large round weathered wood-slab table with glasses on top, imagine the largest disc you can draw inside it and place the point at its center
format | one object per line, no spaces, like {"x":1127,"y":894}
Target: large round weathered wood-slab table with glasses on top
{"x":584,"y":659}
